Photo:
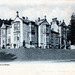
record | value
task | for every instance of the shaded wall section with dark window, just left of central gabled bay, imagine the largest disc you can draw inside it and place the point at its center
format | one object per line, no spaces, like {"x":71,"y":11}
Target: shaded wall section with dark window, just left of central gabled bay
{"x":33,"y":34}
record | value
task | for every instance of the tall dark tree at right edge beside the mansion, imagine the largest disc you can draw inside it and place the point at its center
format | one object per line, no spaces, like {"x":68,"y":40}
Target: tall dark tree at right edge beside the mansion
{"x":71,"y":31}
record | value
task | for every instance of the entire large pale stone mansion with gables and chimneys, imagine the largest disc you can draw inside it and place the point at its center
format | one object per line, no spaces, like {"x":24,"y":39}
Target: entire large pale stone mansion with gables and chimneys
{"x":39,"y":33}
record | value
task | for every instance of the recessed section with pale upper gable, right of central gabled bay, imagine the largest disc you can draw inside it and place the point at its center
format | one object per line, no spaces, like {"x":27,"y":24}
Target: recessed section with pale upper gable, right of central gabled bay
{"x":55,"y":34}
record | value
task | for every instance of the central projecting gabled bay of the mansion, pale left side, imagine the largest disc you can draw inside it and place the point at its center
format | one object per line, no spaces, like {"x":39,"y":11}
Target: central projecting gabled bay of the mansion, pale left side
{"x":44,"y":33}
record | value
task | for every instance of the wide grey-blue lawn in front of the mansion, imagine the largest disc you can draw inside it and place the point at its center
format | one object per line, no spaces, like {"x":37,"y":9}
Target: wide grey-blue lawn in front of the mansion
{"x":26,"y":54}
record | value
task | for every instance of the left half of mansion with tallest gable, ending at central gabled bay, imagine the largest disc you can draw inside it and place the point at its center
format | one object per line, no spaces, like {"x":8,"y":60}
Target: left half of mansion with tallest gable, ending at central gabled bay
{"x":21,"y":30}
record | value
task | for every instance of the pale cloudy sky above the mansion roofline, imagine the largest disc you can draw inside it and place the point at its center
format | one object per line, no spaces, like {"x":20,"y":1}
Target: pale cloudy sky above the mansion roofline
{"x":62,"y":9}
